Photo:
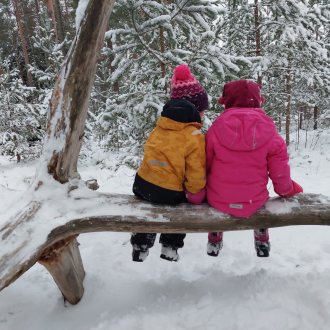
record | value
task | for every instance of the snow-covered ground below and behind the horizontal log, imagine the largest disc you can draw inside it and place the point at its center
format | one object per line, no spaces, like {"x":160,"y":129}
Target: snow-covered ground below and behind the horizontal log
{"x":237,"y":290}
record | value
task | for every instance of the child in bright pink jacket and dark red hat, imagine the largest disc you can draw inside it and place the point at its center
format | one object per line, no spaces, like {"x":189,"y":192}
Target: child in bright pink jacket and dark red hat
{"x":243,"y":150}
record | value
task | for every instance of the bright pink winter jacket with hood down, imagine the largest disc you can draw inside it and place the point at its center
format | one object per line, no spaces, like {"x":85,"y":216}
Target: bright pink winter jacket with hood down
{"x":243,"y":149}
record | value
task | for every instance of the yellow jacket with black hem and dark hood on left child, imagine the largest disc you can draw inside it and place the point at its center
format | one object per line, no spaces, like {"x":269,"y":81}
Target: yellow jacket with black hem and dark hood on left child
{"x":174,"y":156}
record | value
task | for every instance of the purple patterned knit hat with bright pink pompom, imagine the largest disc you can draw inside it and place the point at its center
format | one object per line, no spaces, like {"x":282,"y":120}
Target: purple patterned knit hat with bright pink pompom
{"x":185,"y":86}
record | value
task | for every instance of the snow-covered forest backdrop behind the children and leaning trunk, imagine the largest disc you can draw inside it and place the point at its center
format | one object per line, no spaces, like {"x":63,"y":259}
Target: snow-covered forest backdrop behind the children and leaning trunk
{"x":284,"y":45}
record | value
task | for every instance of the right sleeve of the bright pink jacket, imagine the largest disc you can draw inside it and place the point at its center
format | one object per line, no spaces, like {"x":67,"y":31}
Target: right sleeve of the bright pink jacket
{"x":278,"y":166}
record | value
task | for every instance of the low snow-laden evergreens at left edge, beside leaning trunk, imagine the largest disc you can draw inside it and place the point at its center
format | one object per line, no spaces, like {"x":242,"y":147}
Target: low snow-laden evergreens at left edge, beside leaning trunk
{"x":22,"y":120}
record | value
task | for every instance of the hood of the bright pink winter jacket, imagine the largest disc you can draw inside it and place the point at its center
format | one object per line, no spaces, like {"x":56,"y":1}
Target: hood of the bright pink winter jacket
{"x":244,"y":129}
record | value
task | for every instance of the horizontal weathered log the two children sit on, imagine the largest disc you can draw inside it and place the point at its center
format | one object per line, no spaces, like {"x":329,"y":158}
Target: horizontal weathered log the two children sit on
{"x":198,"y":218}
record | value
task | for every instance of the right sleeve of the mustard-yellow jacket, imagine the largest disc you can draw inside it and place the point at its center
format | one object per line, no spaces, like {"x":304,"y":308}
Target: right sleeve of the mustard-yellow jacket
{"x":195,"y":178}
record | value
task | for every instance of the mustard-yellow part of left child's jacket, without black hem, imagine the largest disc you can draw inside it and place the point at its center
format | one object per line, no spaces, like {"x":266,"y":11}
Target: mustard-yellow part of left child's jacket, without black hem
{"x":174,"y":156}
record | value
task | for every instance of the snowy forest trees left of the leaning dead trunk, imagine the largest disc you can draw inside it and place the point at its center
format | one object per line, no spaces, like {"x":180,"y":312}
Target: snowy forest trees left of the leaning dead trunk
{"x":29,"y":64}
